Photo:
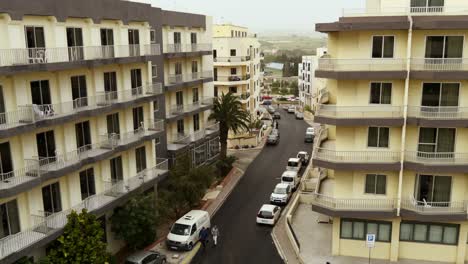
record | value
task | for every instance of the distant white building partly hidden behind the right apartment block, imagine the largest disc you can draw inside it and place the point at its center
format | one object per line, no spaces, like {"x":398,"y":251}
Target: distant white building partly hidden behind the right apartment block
{"x":311,"y":90}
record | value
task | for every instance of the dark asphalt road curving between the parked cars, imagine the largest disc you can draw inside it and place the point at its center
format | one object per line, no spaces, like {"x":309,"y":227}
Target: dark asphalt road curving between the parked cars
{"x":241,"y":239}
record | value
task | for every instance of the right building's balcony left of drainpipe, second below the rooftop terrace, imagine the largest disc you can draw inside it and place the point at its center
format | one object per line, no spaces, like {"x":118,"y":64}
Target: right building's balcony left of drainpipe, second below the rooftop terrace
{"x":379,"y":115}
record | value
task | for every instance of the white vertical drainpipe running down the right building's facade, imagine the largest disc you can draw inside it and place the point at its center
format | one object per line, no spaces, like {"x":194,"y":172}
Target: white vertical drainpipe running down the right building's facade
{"x":405,"y":111}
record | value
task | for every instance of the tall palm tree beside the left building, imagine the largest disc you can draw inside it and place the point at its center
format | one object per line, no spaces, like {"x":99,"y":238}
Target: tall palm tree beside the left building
{"x":227,"y":110}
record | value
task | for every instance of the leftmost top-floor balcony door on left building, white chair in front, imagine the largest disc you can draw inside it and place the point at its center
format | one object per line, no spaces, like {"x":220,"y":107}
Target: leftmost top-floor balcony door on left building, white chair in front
{"x":35,"y":42}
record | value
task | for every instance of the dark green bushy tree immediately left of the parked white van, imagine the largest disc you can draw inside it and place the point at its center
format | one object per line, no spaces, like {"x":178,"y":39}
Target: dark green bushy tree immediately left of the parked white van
{"x":136,"y":221}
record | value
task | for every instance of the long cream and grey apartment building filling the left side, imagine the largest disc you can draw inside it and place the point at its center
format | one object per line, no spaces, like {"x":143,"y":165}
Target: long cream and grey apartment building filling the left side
{"x":86,"y":110}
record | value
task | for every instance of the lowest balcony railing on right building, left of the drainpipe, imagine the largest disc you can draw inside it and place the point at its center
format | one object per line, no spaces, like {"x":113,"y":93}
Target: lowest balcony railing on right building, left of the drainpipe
{"x":354,"y":204}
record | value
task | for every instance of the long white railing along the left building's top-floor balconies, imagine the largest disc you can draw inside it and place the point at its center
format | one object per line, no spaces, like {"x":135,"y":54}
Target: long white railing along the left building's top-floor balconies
{"x":27,"y":56}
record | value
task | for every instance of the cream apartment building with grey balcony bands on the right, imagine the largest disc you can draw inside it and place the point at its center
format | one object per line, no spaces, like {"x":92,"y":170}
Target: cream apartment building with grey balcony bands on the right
{"x":392,"y":152}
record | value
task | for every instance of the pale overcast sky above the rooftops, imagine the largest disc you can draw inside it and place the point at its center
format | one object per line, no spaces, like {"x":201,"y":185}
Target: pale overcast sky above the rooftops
{"x":264,"y":16}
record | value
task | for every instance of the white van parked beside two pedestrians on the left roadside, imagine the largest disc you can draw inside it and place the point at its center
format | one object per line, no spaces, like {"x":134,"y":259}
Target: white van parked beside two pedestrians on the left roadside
{"x":184,"y":233}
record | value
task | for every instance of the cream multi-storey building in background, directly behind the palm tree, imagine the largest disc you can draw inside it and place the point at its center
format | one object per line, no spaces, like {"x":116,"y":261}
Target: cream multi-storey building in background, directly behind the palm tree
{"x":237,"y":56}
